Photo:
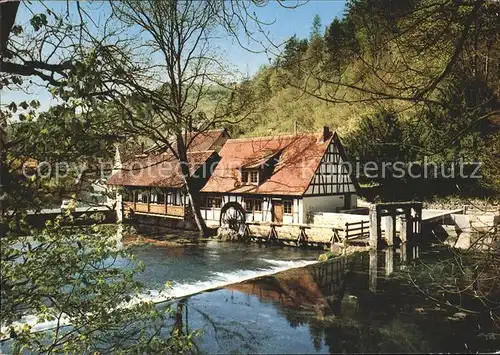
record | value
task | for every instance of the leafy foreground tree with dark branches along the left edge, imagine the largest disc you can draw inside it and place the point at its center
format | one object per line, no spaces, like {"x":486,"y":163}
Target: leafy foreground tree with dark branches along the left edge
{"x":63,"y":273}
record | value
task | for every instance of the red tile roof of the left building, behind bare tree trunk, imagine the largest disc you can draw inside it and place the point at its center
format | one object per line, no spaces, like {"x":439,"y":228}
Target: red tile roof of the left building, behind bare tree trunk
{"x":163,"y":169}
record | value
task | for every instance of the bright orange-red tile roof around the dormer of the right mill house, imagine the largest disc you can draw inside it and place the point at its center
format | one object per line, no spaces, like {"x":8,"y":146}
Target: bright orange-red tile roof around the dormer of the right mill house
{"x":300,"y":156}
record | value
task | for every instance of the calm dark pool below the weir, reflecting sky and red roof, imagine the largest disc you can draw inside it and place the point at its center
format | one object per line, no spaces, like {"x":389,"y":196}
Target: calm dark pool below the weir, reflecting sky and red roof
{"x":363,"y":303}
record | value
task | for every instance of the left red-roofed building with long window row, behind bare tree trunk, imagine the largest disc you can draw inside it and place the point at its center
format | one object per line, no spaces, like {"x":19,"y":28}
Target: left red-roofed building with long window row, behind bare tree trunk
{"x":152,"y":184}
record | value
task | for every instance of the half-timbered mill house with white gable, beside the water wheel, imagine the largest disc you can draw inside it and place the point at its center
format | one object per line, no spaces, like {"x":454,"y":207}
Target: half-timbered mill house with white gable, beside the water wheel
{"x":282,"y":179}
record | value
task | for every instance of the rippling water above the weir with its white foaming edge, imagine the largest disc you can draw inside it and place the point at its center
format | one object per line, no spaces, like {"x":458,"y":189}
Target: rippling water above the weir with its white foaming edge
{"x":199,"y":267}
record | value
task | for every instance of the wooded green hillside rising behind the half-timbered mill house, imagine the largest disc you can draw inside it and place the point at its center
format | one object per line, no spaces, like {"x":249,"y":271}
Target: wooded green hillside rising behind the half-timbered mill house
{"x":432,"y":64}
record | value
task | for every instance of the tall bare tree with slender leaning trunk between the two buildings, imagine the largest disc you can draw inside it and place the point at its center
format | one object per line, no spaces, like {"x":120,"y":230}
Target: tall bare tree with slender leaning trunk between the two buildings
{"x":162,"y":101}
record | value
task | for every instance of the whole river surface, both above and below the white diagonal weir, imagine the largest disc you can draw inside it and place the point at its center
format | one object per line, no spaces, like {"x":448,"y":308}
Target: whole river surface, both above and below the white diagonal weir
{"x":363,"y":303}
